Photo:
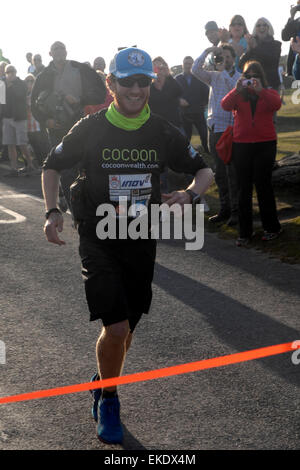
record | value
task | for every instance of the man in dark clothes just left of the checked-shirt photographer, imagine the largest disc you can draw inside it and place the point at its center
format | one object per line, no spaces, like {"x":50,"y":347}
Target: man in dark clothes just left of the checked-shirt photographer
{"x":195,"y":96}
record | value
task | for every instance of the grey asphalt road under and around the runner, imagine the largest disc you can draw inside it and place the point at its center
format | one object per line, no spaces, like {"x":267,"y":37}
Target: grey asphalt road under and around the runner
{"x":217,"y":301}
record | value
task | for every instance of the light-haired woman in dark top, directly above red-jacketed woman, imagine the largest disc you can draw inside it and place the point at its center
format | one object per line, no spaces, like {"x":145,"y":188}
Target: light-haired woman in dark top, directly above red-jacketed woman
{"x":262,"y":47}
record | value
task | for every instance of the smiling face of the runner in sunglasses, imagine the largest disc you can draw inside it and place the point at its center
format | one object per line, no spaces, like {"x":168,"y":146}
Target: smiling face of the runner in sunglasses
{"x":130,"y":101}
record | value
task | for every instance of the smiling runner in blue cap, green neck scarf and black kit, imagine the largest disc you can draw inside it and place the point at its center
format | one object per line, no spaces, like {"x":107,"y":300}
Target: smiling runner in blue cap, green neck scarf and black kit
{"x":124,"y":149}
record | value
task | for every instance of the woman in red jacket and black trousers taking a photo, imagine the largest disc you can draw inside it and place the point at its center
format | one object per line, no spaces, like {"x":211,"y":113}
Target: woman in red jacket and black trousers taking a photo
{"x":254,"y":148}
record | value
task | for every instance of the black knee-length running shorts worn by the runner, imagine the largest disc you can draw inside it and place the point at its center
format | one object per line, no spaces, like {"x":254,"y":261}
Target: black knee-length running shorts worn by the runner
{"x":118,"y":275}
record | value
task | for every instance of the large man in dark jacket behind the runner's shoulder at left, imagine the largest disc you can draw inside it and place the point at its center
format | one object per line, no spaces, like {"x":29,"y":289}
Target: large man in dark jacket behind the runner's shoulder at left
{"x":58,"y":97}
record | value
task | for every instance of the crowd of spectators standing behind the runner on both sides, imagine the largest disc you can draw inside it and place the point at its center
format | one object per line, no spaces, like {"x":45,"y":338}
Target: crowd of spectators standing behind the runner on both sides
{"x":235,"y":83}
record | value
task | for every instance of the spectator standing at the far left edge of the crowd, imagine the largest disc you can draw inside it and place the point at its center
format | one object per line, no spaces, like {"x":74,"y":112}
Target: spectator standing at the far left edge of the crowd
{"x":14,"y":114}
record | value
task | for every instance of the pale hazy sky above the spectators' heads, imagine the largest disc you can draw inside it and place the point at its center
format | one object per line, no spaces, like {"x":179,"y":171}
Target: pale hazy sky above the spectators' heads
{"x":170,"y":28}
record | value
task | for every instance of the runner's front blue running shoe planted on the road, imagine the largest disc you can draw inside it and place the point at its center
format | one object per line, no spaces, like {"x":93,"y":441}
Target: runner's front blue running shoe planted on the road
{"x":109,"y":429}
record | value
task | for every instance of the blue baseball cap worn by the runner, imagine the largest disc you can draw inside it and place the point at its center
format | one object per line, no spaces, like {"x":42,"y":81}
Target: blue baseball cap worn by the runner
{"x":131,"y":61}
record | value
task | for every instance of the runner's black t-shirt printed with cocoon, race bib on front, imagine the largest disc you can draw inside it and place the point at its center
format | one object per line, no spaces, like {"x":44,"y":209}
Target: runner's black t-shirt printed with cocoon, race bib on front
{"x":124,"y":163}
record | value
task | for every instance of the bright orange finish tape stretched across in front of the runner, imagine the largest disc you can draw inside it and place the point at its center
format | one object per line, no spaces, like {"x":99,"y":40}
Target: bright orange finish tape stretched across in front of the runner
{"x":156,"y":374}
